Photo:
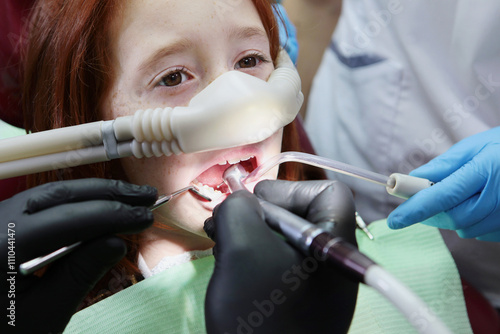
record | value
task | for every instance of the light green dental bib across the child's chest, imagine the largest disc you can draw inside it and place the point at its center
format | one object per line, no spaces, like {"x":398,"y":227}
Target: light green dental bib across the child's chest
{"x":173,"y":301}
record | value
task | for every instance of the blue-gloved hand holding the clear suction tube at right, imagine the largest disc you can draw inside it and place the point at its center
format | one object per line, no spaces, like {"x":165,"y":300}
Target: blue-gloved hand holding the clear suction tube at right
{"x":466,"y":196}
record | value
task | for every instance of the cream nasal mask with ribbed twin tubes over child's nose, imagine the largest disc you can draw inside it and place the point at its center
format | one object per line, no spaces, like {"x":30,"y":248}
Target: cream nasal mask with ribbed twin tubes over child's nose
{"x":235,"y":109}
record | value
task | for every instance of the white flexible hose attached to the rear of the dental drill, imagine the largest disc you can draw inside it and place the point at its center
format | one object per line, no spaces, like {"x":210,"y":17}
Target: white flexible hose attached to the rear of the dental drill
{"x":420,"y":316}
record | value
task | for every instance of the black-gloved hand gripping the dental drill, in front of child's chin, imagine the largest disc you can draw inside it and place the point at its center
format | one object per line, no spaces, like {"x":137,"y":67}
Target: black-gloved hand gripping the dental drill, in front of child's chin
{"x":261,"y":284}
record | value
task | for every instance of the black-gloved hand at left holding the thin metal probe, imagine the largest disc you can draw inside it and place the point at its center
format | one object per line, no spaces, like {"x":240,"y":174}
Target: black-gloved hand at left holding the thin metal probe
{"x":43,"y":219}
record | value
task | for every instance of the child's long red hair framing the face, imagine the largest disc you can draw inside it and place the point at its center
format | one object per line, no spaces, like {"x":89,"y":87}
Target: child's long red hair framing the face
{"x":68,"y":72}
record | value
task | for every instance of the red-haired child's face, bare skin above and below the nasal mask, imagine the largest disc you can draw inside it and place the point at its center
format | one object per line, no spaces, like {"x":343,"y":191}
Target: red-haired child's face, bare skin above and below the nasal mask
{"x":167,"y":51}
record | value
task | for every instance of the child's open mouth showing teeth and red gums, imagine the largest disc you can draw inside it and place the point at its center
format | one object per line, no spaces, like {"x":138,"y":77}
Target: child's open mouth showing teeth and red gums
{"x":210,"y":182}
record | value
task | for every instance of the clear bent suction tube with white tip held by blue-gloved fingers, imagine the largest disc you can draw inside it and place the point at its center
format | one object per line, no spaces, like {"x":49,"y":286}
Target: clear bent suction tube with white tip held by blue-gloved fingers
{"x":399,"y":185}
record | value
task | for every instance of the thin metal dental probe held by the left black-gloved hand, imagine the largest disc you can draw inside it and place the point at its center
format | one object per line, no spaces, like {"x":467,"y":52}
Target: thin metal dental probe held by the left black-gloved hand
{"x":31,"y":266}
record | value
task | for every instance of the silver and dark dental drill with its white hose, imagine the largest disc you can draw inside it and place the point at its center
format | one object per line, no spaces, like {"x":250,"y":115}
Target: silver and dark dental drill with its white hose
{"x":312,"y":240}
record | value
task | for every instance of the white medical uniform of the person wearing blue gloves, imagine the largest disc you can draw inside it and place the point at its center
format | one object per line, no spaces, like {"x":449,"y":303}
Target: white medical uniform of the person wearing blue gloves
{"x":400,"y":83}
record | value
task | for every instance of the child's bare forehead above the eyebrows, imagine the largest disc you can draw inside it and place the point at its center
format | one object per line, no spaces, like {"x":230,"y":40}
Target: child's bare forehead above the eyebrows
{"x":145,"y":27}
